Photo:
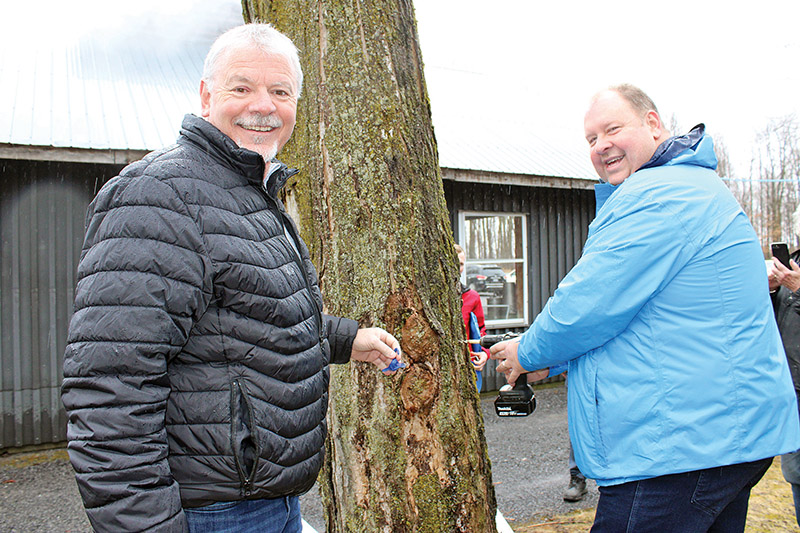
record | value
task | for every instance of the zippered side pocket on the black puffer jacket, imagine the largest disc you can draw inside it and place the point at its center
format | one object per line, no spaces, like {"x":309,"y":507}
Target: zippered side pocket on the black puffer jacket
{"x":244,"y":442}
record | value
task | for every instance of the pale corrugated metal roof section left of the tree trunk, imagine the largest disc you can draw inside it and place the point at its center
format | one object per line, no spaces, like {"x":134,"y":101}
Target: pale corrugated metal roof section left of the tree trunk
{"x":125,"y":86}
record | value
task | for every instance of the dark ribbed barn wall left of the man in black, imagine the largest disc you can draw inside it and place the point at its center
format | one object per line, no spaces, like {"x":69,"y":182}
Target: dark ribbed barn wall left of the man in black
{"x":42,"y":211}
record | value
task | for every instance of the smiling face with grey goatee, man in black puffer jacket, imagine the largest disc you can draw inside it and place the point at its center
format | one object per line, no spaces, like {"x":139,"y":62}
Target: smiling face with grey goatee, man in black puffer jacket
{"x":253,"y":100}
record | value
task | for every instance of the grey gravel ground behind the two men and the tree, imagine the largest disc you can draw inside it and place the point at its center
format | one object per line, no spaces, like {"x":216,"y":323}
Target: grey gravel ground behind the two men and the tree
{"x":529,"y":468}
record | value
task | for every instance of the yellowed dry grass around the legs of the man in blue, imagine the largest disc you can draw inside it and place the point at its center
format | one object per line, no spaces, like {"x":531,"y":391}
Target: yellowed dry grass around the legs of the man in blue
{"x":771,"y":510}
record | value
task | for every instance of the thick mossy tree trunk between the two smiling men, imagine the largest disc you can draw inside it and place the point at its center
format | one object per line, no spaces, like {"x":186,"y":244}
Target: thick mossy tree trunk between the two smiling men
{"x":405,"y":453}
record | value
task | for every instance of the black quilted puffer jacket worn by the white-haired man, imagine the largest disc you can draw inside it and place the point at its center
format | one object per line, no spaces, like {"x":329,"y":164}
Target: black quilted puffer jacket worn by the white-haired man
{"x":196,"y":366}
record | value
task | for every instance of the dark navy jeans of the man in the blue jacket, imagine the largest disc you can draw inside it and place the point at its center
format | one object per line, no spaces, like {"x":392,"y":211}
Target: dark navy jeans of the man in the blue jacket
{"x":711,"y":500}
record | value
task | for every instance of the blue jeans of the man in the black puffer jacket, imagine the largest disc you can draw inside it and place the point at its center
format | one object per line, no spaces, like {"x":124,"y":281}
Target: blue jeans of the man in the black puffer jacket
{"x":279,"y":515}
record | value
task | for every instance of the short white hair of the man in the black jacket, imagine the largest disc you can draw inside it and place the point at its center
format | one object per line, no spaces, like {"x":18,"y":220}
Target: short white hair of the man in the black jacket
{"x":260,"y":35}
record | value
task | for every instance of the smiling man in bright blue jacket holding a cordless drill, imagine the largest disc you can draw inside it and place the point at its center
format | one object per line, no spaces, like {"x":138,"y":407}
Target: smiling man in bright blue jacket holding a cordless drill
{"x":679,"y":392}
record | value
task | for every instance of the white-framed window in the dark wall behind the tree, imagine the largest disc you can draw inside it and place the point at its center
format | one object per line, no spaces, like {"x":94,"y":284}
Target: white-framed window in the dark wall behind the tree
{"x":496,"y":267}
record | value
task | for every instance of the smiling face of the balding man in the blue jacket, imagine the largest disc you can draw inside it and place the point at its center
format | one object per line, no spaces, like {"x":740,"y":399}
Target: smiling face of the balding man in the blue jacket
{"x":621,"y":139}
